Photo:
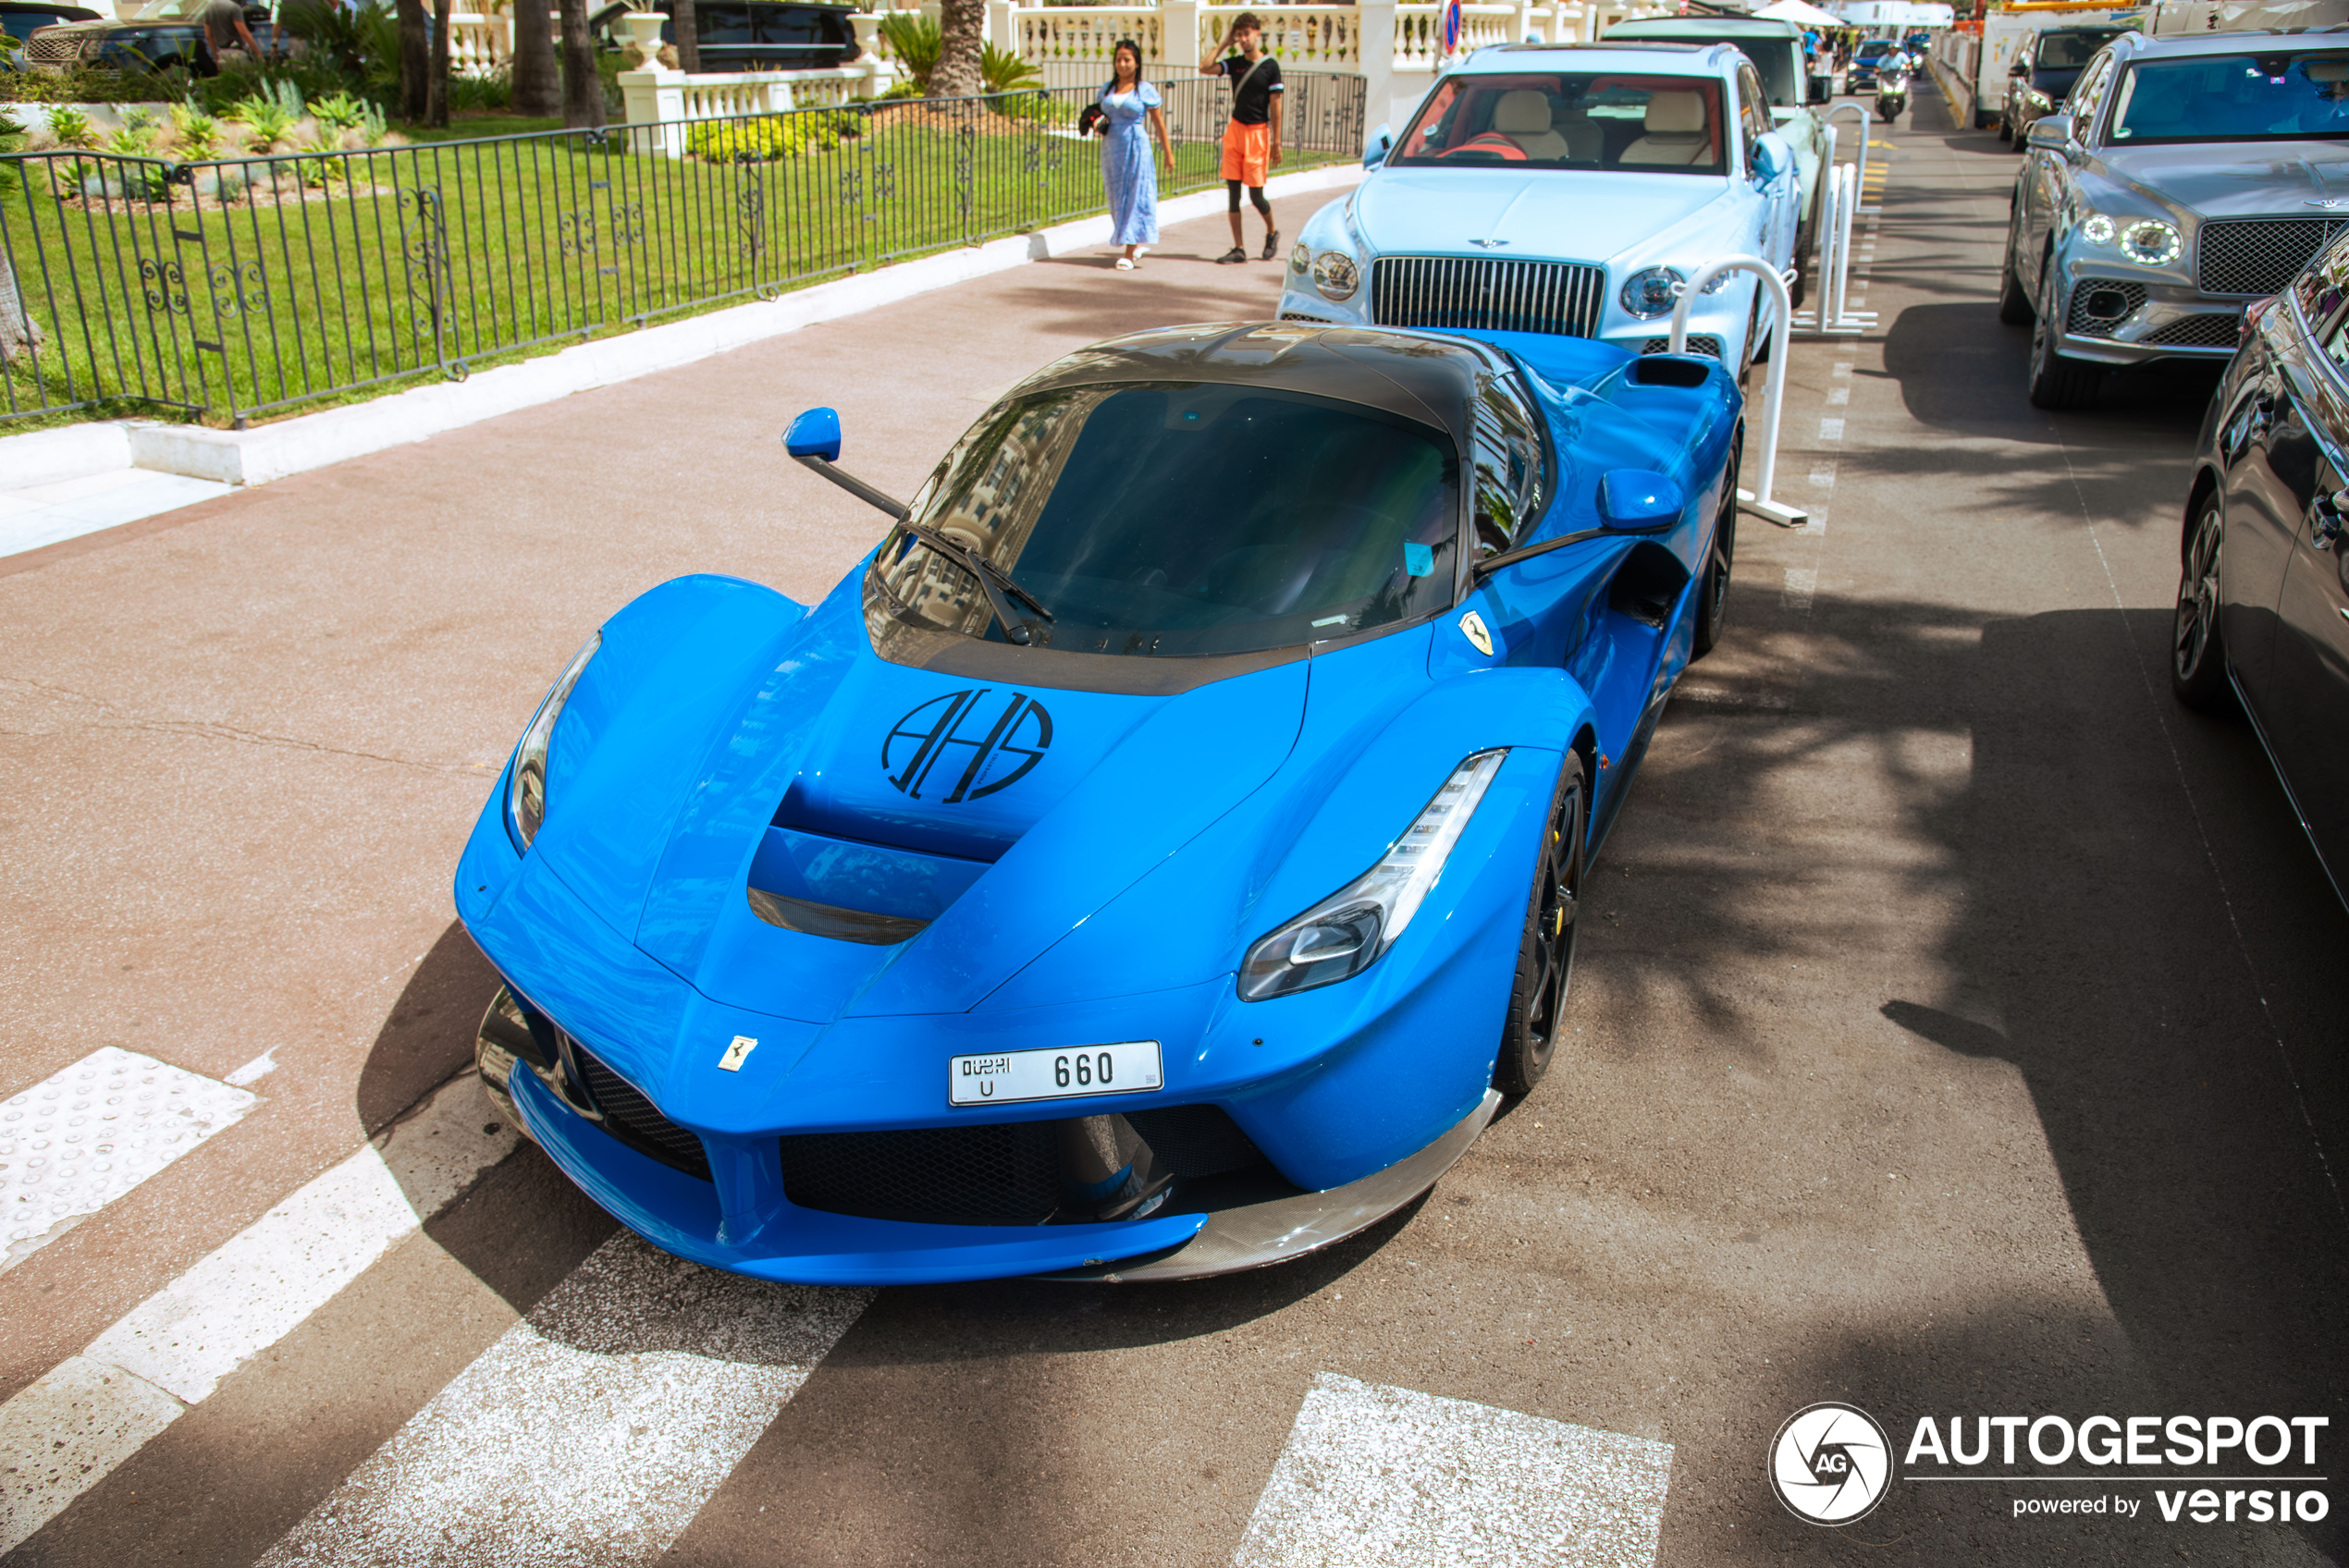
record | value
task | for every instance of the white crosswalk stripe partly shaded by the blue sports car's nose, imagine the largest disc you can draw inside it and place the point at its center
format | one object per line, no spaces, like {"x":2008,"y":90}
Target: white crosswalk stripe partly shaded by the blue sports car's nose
{"x":593,"y":1431}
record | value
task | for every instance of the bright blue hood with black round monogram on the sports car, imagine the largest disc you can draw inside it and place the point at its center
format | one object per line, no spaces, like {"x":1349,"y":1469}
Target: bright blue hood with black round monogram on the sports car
{"x":1021,"y":809}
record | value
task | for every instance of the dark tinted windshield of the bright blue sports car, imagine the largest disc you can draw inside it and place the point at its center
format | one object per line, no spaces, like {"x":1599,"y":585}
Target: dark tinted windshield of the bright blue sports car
{"x":1187,"y":520}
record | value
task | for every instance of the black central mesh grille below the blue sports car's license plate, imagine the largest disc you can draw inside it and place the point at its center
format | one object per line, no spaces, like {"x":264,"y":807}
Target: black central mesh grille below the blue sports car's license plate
{"x":988,"y":1175}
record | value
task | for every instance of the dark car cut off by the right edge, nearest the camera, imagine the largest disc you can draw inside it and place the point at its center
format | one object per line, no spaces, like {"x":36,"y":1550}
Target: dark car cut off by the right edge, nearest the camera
{"x":2263,"y":597}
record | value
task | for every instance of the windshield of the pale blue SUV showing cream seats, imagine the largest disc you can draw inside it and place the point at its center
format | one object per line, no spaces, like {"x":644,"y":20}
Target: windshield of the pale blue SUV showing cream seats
{"x":1566,"y":121}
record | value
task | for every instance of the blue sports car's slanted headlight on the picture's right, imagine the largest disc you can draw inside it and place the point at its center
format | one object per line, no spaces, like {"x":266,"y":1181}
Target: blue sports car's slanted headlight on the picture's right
{"x":1345,"y":933}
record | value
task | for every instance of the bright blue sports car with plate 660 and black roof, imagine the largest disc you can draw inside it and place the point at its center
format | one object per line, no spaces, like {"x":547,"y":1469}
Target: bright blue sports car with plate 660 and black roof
{"x":1159,"y":858}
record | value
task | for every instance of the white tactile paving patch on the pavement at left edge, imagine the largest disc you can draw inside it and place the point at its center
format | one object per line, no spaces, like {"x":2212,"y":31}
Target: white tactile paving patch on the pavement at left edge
{"x":88,"y":1135}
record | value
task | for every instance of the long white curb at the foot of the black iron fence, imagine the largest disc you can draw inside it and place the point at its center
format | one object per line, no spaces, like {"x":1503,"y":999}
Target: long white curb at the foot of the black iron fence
{"x":316,"y":440}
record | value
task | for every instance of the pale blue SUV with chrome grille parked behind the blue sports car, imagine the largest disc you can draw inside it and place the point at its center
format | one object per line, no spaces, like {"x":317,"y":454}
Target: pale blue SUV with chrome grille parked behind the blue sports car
{"x":1566,"y":189}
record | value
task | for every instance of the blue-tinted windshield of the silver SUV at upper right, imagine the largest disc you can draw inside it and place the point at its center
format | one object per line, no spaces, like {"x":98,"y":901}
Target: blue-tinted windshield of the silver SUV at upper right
{"x":2235,"y":97}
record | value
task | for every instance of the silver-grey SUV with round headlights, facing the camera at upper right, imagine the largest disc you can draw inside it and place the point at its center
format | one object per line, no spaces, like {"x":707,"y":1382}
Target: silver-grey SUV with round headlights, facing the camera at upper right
{"x":2188,"y":180}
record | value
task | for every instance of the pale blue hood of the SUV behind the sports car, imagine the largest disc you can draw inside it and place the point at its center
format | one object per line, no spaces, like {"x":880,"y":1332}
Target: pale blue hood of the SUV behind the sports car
{"x":1568,"y":215}
